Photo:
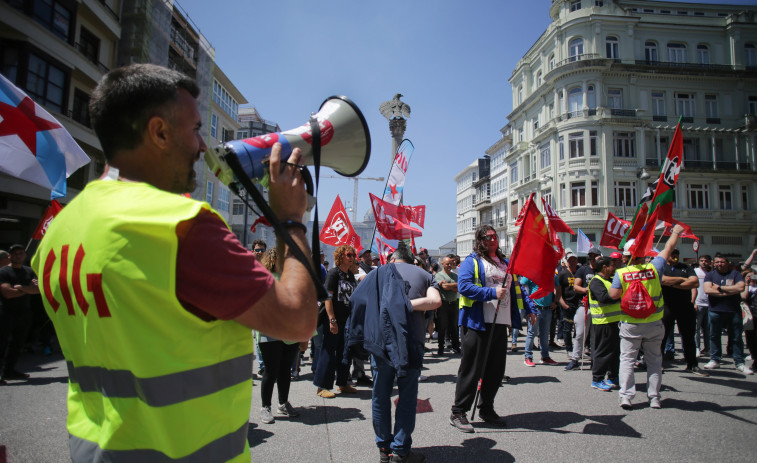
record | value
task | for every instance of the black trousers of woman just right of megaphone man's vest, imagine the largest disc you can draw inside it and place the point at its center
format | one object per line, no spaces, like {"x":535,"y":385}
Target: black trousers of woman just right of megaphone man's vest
{"x":278,"y":358}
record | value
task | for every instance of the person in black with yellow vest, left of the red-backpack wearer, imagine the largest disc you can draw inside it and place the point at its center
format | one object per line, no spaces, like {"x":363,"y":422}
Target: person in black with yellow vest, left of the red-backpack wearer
{"x":605,"y":315}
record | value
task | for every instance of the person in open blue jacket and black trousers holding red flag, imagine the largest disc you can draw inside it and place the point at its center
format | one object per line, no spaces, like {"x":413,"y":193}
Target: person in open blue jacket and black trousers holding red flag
{"x":485,"y":287}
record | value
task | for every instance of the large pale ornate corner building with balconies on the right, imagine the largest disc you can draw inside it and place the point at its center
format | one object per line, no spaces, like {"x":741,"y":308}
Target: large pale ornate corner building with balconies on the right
{"x":596,"y":100}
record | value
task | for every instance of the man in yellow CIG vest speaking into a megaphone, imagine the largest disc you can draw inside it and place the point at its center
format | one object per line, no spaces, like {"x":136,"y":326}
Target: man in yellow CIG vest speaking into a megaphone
{"x":159,"y":347}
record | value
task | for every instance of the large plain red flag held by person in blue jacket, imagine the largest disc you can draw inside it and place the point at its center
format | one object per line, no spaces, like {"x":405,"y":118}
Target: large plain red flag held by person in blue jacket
{"x":534,"y":255}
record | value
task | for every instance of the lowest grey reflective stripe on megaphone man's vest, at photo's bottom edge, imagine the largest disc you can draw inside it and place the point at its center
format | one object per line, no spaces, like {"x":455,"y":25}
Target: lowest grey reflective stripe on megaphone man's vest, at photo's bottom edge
{"x":225,"y":448}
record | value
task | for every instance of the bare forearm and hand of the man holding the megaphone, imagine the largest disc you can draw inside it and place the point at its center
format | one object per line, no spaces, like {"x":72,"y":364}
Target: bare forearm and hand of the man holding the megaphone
{"x":288,"y":309}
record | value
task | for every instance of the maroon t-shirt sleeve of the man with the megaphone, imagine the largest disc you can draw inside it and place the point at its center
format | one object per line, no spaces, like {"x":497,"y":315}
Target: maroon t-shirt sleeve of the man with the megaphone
{"x":216,"y":278}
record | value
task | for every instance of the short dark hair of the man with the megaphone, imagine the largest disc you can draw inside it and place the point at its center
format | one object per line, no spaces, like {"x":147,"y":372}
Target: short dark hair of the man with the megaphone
{"x":128,"y":97}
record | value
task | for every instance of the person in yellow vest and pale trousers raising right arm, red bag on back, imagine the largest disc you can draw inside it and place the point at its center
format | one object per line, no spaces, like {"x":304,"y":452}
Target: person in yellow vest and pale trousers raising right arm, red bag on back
{"x":642,"y":333}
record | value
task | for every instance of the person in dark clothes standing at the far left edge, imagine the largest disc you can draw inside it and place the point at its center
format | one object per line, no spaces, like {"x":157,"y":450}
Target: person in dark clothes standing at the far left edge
{"x":17,"y":283}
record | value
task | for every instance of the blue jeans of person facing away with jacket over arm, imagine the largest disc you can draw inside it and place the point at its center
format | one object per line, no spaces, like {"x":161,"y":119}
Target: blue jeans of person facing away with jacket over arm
{"x":404,"y":417}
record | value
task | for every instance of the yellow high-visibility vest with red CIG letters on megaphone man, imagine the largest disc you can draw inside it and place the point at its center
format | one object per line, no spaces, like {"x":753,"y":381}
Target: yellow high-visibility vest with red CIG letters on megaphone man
{"x":146,"y":375}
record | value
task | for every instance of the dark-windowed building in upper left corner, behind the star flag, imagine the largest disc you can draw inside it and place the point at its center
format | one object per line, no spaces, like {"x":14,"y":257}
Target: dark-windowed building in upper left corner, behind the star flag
{"x":56,"y":51}
